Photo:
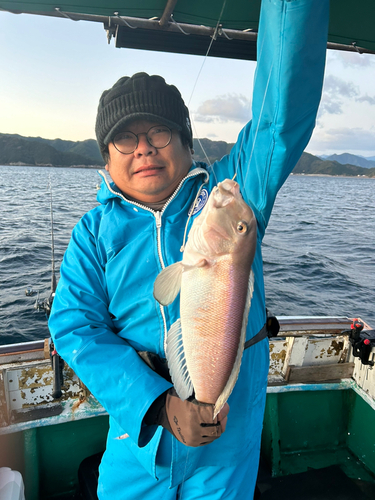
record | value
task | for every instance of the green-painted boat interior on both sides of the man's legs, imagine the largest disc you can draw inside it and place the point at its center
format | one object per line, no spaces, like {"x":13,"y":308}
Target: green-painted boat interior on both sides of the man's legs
{"x":302,"y":429}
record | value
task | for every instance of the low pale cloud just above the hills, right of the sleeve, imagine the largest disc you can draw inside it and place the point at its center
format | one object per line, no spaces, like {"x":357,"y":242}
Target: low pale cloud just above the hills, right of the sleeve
{"x":343,"y":139}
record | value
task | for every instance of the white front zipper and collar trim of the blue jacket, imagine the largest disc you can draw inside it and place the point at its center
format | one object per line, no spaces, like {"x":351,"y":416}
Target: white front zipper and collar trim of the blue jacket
{"x":158,"y":222}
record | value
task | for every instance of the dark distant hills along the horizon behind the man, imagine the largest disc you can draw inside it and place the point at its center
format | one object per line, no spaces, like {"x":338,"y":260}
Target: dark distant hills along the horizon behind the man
{"x":18,"y":150}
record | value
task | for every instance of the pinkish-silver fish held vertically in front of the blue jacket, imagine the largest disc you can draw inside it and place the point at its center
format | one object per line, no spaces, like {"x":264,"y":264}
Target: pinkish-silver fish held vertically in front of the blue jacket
{"x":205,"y":345}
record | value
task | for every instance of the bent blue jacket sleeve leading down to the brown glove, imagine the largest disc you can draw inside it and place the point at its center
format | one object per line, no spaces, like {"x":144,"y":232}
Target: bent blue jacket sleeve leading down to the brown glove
{"x":84,"y":336}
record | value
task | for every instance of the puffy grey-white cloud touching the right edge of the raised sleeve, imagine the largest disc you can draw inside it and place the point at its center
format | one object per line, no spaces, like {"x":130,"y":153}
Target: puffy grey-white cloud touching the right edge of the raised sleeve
{"x":335,"y":91}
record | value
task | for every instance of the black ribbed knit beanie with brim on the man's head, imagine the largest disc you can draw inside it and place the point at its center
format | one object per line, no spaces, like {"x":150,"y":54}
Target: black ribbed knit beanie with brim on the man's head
{"x":143,"y":97}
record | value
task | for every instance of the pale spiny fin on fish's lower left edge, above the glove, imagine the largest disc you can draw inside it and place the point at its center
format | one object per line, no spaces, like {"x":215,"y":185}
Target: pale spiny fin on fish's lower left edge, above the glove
{"x":177,"y":362}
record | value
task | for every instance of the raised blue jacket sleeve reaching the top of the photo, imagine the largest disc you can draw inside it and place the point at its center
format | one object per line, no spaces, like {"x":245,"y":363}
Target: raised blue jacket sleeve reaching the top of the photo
{"x":288,"y":82}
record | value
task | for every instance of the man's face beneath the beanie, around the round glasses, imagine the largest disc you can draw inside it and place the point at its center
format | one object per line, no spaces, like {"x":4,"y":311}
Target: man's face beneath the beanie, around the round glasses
{"x":149,"y":174}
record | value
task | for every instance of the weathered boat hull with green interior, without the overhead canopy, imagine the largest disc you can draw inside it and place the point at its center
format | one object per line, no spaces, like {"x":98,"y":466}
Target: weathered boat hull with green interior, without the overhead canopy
{"x":319,"y":413}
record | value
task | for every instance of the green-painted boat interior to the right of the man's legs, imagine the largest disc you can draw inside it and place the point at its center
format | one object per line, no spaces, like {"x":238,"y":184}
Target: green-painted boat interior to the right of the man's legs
{"x":315,"y":429}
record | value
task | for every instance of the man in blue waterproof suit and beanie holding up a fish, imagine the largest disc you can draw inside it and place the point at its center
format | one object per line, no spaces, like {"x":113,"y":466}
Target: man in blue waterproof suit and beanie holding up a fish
{"x":104,"y":315}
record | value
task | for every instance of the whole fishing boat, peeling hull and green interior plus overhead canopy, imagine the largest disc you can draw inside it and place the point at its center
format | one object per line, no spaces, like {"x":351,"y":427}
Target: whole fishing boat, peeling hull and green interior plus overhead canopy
{"x":318,"y":427}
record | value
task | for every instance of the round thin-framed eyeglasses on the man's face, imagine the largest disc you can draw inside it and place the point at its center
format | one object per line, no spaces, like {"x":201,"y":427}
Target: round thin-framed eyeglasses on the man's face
{"x":158,"y":137}
